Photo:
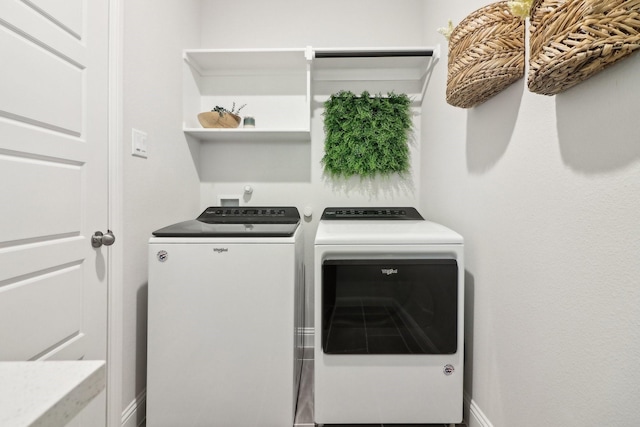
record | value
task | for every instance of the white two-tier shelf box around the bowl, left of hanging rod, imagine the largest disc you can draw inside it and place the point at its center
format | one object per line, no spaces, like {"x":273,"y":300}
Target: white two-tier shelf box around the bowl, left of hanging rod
{"x":273,"y":83}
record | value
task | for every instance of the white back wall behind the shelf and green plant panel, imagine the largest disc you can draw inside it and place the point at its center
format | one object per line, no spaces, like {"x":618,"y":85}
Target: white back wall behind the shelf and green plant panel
{"x":296,"y":24}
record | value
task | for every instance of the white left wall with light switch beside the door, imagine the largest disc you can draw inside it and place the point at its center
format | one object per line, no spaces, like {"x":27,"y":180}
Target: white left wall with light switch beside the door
{"x":164,"y":188}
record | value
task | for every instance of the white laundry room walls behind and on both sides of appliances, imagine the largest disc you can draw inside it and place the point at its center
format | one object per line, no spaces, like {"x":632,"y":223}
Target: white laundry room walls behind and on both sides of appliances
{"x":544,"y":189}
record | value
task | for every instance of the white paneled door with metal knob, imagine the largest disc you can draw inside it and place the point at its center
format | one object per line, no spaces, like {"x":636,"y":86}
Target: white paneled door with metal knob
{"x":54,"y":182}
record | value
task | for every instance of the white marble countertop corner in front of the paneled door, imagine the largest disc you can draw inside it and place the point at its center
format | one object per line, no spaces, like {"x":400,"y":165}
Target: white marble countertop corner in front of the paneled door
{"x":47,"y":393}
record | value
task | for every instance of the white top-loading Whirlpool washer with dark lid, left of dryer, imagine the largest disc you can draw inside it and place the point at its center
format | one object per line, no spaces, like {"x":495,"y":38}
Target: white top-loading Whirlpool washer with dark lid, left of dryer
{"x":225,"y":319}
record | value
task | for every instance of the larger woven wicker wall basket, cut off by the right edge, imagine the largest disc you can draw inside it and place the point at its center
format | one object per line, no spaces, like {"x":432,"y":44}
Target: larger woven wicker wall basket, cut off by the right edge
{"x":571,"y":40}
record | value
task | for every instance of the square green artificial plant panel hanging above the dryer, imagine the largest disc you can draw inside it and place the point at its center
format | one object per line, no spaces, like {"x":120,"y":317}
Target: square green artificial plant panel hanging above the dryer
{"x":366,"y":135}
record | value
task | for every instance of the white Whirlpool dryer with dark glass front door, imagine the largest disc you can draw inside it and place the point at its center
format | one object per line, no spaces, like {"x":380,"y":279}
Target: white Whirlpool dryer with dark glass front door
{"x":389,"y":315}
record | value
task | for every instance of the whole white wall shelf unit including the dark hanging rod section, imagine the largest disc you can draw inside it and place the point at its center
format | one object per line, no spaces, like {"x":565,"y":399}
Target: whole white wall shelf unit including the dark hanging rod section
{"x":262,"y":78}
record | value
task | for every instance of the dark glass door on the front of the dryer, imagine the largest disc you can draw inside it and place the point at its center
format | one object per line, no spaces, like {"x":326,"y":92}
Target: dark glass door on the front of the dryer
{"x":390,"y":306}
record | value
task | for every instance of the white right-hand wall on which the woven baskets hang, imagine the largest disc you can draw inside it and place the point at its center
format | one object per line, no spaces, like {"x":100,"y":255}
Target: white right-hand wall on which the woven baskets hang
{"x":546,"y":191}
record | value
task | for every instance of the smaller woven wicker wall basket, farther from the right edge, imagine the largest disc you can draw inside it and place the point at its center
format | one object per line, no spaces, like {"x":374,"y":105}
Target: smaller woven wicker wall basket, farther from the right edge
{"x":486,"y":54}
